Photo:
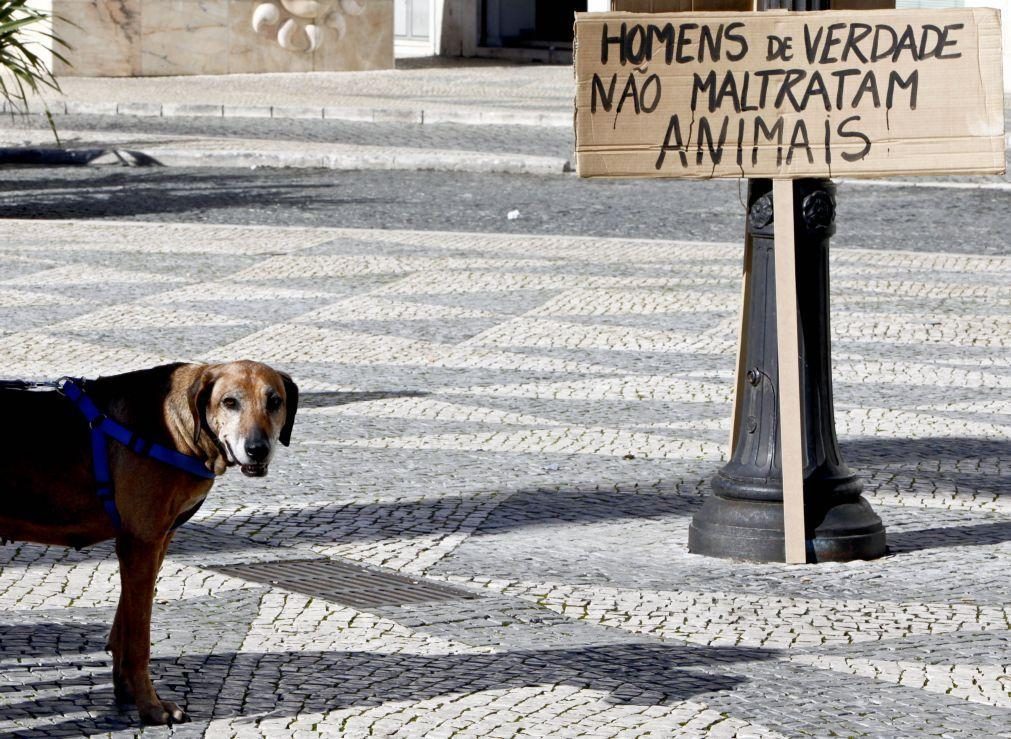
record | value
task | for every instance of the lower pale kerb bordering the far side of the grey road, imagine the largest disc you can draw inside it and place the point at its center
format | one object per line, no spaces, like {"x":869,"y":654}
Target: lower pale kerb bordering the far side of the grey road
{"x":389,"y":160}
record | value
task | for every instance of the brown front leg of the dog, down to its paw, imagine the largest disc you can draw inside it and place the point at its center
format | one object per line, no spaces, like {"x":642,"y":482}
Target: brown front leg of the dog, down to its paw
{"x":131,"y":638}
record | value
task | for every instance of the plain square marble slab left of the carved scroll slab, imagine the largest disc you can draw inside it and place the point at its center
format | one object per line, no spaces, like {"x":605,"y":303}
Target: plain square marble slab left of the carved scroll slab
{"x":185,"y":38}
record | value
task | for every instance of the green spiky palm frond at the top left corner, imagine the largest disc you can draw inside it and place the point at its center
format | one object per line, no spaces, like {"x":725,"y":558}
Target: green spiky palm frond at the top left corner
{"x":24,"y":73}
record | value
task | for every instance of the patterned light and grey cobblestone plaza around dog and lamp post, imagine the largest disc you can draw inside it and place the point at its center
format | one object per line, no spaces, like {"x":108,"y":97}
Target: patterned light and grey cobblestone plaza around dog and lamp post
{"x":531,"y":420}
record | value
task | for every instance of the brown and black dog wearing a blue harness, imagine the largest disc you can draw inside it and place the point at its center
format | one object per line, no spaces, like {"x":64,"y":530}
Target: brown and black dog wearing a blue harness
{"x":223,"y":415}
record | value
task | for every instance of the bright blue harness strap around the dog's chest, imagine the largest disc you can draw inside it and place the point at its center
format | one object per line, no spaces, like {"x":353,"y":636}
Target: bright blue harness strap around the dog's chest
{"x":103,"y":429}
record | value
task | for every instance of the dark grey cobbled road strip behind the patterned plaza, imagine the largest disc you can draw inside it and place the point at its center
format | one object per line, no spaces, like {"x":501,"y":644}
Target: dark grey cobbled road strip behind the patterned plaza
{"x":870,"y":216}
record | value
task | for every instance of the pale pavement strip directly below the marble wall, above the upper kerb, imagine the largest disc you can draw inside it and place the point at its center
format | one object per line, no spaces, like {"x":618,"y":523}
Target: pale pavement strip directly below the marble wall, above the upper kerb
{"x":420,"y":89}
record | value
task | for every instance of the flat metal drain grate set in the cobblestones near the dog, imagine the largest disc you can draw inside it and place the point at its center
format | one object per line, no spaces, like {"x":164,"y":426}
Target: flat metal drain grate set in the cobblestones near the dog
{"x":343,"y":583}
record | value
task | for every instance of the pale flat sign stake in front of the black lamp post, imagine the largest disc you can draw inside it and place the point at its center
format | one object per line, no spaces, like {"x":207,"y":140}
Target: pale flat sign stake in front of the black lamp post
{"x":791,"y":419}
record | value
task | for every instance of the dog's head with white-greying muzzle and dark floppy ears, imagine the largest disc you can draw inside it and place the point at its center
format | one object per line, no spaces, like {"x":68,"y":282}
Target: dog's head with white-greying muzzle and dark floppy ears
{"x":245,"y":408}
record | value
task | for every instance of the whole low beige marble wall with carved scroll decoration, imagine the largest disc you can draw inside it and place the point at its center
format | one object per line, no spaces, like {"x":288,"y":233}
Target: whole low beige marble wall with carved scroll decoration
{"x":136,"y":38}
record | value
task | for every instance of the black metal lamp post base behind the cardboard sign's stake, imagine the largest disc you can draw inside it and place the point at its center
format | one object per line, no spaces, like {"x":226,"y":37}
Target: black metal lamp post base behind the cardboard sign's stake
{"x":745,"y":518}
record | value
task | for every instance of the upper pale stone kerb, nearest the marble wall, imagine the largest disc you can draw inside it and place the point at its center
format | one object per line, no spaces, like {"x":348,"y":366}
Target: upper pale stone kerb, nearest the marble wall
{"x":465,"y":117}
